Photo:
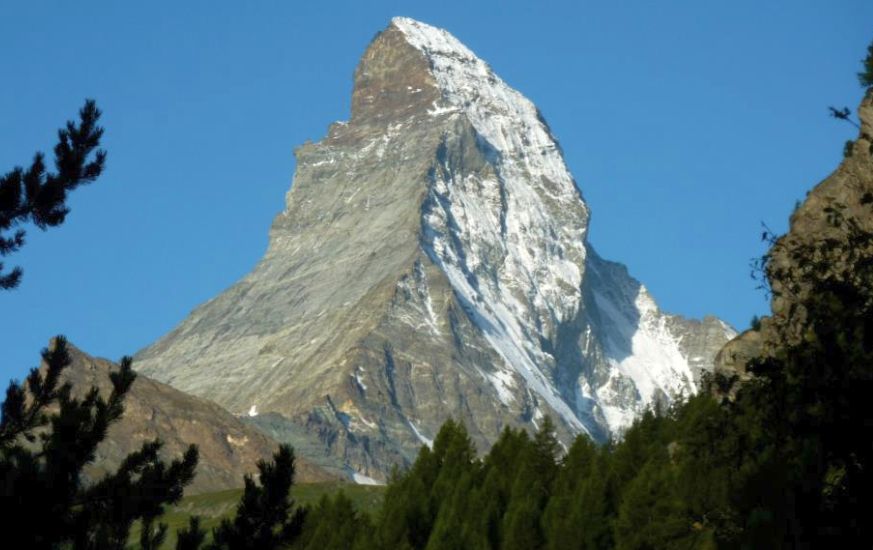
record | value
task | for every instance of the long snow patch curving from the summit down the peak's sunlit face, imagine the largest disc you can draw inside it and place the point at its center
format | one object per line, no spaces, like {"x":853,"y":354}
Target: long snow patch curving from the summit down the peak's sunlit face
{"x":516,"y":267}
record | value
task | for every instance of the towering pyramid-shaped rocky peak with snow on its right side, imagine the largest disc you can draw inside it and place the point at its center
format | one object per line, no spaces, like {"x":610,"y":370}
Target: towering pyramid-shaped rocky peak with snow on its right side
{"x":432,"y":262}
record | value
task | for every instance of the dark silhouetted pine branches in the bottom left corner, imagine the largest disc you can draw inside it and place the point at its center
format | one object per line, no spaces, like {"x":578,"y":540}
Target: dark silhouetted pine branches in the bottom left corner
{"x":47,"y":436}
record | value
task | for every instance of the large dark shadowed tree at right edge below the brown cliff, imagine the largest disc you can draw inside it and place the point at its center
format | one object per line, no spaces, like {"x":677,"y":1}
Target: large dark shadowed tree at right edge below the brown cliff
{"x":811,"y":393}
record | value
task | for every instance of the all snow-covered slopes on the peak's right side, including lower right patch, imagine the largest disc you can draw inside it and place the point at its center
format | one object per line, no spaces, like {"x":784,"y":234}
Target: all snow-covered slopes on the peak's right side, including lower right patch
{"x":513,"y":246}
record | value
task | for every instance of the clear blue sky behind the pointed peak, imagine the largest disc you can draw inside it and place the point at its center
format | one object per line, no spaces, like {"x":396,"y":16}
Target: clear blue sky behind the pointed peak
{"x":686,"y":124}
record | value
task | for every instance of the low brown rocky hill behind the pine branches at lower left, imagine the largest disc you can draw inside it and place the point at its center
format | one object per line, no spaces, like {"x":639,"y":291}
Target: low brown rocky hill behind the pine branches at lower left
{"x":229,"y":449}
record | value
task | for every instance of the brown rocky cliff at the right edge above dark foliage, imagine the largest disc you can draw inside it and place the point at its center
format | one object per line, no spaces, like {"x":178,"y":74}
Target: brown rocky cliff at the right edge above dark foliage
{"x":848,"y":193}
